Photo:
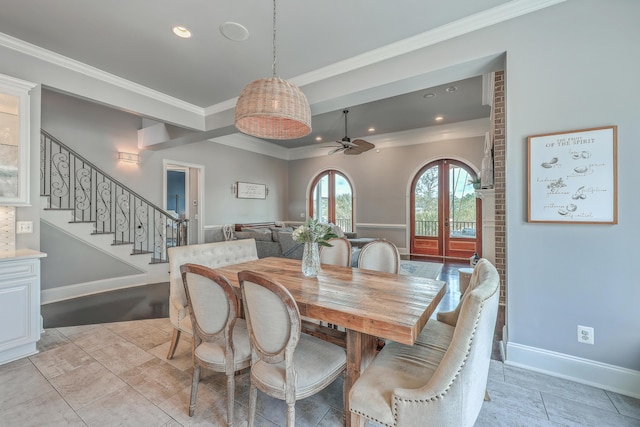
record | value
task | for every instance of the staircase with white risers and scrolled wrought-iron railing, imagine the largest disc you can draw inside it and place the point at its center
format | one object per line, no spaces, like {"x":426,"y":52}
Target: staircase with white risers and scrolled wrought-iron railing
{"x":83,"y":201}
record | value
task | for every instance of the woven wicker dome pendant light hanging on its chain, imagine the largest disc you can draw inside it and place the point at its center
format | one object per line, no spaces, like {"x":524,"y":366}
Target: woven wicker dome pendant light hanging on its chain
{"x":273,"y":108}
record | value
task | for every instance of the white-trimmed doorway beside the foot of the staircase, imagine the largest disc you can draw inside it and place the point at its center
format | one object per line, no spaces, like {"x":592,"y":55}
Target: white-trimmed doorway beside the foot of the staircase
{"x":183,"y":195}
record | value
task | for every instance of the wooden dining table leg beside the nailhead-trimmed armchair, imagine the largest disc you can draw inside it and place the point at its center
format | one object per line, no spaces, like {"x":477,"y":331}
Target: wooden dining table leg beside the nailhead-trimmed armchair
{"x":361,"y":349}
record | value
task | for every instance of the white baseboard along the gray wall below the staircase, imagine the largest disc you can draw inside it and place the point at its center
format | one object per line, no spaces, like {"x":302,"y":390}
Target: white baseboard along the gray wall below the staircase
{"x":62,"y":293}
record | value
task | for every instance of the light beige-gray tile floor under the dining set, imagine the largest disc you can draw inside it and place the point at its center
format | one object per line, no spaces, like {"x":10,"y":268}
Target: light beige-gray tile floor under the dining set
{"x":116,"y":374}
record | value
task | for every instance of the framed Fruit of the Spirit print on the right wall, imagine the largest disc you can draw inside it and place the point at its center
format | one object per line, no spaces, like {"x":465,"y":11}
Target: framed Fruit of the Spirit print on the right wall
{"x":572,"y":176}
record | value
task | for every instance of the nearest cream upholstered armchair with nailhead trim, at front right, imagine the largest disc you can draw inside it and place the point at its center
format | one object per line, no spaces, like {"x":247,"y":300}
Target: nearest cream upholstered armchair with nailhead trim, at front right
{"x":441,"y":379}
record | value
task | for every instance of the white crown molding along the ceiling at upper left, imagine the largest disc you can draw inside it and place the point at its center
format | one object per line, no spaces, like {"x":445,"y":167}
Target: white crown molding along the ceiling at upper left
{"x":87,"y":70}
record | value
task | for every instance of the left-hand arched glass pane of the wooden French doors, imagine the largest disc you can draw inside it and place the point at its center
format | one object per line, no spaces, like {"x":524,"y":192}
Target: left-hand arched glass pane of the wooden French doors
{"x":426,"y":203}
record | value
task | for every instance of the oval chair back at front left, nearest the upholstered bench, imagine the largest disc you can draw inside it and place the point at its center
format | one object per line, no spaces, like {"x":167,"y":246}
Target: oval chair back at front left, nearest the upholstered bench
{"x":212,"y":302}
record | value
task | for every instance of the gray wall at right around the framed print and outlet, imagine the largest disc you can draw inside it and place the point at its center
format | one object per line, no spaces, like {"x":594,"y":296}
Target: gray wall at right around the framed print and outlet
{"x":572,"y":67}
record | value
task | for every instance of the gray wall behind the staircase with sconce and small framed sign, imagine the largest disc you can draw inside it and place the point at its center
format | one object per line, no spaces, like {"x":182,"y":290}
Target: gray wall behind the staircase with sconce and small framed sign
{"x":98,"y":133}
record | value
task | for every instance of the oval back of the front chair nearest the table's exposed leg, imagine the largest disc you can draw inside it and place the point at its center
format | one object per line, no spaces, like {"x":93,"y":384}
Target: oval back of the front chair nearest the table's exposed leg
{"x":272,"y":315}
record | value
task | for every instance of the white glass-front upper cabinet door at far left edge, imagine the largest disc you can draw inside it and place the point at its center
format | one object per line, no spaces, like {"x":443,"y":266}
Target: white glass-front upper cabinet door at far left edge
{"x":14,"y":141}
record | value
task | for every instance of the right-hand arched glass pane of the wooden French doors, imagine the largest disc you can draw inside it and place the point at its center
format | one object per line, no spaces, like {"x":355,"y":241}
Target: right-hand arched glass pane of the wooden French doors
{"x":462,"y":204}
